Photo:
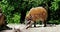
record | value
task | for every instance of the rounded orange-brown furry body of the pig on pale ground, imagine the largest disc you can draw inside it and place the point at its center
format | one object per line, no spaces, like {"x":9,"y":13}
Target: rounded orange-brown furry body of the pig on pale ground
{"x":37,"y":13}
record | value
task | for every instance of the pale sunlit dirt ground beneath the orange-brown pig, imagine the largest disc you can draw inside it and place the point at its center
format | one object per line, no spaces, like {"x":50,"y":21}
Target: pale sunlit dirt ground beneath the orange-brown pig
{"x":39,"y":28}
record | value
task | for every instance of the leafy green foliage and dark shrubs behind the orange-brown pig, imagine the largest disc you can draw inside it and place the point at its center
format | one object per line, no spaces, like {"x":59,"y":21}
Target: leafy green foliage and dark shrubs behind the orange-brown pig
{"x":15,"y":10}
